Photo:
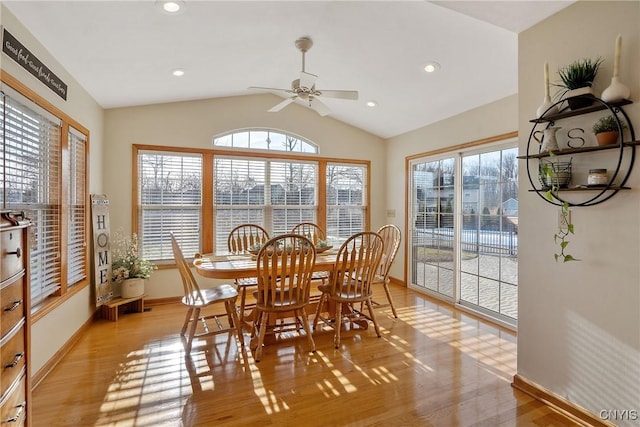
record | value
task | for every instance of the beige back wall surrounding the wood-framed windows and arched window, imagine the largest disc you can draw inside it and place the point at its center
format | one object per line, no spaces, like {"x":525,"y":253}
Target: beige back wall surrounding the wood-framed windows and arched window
{"x":195,"y":123}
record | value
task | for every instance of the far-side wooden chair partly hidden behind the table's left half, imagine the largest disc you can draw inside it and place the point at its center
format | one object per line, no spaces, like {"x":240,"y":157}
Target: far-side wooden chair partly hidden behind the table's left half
{"x":241,"y":239}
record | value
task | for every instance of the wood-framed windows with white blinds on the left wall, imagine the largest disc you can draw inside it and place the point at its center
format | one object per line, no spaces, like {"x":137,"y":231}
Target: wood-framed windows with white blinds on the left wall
{"x":43,"y":172}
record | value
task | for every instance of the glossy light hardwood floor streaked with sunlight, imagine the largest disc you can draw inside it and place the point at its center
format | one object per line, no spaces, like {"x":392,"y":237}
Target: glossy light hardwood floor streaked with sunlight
{"x":433,"y":366}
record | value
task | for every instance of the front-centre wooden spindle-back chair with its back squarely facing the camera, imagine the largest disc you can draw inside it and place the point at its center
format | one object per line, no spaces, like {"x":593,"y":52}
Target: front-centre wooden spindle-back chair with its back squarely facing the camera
{"x":284,"y":266}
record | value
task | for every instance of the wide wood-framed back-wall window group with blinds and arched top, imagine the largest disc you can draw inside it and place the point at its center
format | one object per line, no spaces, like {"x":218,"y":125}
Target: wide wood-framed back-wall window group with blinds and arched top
{"x":203,"y":194}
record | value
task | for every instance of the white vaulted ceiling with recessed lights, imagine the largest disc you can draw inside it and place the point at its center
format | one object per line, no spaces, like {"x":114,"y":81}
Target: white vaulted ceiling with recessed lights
{"x":123,"y":52}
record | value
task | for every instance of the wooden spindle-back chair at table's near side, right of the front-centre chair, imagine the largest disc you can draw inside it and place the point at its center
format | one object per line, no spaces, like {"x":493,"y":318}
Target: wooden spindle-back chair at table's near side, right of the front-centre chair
{"x":350,"y":282}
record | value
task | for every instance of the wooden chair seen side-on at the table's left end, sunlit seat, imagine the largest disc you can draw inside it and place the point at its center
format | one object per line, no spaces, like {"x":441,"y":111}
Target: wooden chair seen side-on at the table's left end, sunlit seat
{"x":195,"y":299}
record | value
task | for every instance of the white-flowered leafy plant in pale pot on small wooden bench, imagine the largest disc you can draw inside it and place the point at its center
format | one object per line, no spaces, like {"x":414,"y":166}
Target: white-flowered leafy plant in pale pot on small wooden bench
{"x":128,"y":268}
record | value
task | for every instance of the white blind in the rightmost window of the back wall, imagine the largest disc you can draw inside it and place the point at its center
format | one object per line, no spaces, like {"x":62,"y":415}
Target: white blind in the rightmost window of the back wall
{"x":346,"y":201}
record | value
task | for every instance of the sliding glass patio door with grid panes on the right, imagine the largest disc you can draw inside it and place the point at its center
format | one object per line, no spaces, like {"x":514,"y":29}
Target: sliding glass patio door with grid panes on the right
{"x":464,"y":229}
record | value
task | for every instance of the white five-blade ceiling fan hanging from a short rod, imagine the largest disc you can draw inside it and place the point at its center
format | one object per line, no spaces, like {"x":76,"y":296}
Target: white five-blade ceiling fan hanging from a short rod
{"x":304,"y":88}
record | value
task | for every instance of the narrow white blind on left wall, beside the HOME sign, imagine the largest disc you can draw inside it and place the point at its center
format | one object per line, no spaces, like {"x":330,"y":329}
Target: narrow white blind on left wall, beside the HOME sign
{"x":76,"y":251}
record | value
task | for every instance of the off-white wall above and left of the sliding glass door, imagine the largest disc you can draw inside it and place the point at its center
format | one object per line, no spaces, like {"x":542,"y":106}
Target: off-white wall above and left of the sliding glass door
{"x":493,"y":119}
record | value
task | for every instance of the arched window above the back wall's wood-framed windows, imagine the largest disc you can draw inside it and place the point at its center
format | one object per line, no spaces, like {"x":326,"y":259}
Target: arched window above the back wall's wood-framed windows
{"x":265,"y":139}
